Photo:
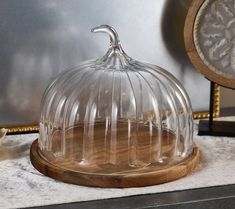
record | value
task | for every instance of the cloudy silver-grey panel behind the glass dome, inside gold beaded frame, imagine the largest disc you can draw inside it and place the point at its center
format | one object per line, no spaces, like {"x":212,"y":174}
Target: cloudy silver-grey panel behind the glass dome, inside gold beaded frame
{"x":39,"y":39}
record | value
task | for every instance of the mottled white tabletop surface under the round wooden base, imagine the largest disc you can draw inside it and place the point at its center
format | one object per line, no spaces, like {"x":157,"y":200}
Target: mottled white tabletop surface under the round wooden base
{"x":23,"y":186}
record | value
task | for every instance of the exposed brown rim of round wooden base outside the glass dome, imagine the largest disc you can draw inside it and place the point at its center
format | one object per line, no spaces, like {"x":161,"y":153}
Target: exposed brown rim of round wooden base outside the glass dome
{"x":114,"y":181}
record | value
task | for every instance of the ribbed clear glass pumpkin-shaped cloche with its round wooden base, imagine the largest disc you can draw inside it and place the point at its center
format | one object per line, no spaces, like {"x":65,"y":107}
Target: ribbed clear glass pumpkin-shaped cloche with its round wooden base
{"x":115,"y":122}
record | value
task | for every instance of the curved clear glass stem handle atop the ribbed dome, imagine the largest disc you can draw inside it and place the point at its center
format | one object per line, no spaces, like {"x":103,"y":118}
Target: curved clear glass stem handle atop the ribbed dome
{"x":114,"y":40}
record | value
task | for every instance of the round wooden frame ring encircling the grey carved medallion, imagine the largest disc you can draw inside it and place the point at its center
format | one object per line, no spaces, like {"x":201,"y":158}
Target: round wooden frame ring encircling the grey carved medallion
{"x":191,"y":49}
